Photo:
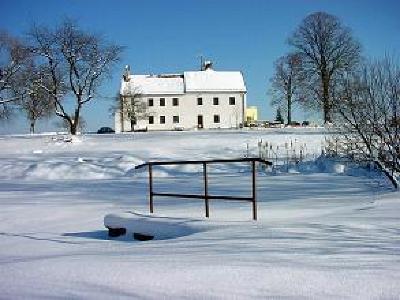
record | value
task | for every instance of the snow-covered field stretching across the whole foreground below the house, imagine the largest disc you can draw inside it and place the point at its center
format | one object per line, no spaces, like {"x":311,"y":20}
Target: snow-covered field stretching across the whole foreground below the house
{"x":325,"y":230}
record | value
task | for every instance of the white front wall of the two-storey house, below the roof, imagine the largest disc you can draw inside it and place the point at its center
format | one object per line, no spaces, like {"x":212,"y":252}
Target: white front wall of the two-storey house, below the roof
{"x":188,"y":110}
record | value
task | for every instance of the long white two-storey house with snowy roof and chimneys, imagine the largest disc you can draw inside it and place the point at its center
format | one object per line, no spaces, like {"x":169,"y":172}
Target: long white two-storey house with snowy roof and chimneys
{"x":194,"y":99}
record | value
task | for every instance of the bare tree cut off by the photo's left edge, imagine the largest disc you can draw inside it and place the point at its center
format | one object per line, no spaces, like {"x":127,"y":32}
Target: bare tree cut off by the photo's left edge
{"x":13,"y":57}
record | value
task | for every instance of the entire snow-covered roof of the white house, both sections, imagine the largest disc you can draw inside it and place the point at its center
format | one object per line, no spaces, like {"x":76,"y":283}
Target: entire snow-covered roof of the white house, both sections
{"x":193,"y":81}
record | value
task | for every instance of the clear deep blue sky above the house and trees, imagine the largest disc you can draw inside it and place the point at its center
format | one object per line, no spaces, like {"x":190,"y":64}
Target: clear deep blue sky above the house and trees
{"x":170,"y":36}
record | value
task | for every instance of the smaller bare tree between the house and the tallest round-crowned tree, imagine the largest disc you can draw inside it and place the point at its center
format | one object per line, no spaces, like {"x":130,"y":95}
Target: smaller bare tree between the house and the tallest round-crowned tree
{"x":285,"y":83}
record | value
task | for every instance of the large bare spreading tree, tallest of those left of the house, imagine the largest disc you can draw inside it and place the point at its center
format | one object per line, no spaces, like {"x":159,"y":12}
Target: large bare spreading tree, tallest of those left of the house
{"x":74,"y":63}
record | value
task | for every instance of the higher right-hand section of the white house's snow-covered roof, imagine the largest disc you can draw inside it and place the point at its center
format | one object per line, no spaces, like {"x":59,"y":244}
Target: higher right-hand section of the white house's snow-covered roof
{"x":214,"y":81}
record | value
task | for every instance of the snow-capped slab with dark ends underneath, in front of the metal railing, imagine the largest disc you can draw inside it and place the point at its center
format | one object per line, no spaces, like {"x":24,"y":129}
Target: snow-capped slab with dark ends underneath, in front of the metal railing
{"x":159,"y":227}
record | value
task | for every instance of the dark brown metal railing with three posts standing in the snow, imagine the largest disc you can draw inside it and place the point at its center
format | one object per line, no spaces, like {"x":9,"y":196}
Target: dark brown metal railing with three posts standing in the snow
{"x":206,"y":196}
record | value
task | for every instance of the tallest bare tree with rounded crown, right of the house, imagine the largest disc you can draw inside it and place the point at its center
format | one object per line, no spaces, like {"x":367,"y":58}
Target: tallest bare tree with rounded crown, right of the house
{"x":327,"y":50}
